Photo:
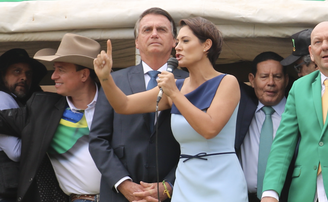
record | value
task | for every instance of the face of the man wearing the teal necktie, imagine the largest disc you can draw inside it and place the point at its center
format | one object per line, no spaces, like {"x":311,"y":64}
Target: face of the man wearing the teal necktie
{"x":269,"y":83}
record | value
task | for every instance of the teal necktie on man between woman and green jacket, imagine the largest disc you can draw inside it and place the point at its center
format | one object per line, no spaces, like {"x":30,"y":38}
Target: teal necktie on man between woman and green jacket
{"x":266,"y":138}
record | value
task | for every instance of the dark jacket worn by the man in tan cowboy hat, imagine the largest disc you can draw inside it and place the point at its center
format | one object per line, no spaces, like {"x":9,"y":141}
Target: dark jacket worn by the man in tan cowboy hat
{"x":36,"y":124}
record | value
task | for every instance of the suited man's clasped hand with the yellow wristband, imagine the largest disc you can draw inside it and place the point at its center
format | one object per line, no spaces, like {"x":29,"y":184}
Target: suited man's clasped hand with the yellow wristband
{"x":150,"y":192}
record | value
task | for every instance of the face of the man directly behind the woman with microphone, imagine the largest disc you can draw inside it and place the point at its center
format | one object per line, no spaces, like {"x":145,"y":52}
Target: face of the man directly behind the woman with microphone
{"x":155,"y":36}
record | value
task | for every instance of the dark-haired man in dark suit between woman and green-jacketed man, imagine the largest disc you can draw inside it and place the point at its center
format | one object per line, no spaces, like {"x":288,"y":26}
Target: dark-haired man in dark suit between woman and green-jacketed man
{"x":268,"y":81}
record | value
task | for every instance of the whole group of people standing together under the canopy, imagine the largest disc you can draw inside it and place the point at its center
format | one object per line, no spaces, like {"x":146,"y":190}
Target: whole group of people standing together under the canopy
{"x":108,"y":136}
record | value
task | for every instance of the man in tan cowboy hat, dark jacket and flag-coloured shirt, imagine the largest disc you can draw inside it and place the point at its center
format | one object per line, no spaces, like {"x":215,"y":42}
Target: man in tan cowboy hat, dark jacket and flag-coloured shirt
{"x":56,"y":125}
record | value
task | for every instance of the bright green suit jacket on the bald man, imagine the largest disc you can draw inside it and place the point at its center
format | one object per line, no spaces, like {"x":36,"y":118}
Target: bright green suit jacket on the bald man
{"x":302,"y":117}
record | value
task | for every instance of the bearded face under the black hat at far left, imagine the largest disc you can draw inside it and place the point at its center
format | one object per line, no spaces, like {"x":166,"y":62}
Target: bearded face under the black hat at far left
{"x":18,"y":79}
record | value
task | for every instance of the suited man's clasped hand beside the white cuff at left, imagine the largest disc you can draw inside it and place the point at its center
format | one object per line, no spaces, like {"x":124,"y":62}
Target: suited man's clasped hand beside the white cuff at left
{"x":127,"y":188}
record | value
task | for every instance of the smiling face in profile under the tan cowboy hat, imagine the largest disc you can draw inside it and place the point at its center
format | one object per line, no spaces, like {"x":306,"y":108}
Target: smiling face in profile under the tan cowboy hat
{"x":68,"y":81}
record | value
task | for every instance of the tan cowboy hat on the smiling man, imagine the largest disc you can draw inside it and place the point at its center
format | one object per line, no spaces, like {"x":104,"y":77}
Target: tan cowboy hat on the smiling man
{"x":74,"y":49}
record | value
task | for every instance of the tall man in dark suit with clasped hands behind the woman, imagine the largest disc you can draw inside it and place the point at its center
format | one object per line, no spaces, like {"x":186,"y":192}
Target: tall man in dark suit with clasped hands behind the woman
{"x":123,"y":146}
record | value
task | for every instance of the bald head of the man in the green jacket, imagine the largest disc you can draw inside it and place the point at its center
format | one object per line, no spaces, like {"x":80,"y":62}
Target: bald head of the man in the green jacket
{"x":319,"y":47}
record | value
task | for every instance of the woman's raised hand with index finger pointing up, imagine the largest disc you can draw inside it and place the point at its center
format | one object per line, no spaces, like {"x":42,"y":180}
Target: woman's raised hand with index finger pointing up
{"x":103,"y":63}
